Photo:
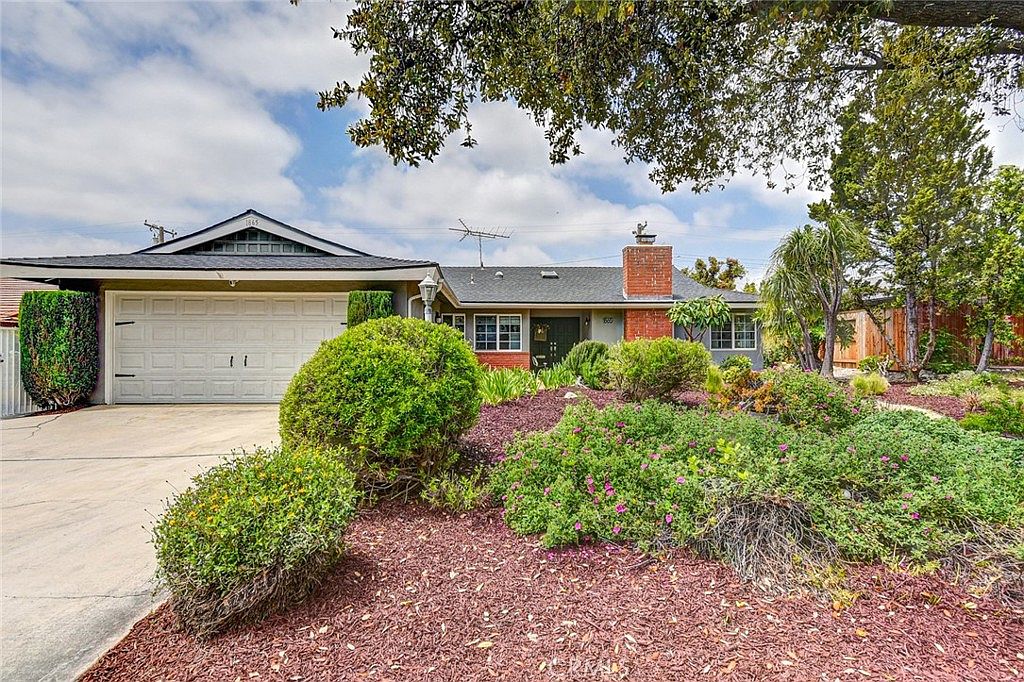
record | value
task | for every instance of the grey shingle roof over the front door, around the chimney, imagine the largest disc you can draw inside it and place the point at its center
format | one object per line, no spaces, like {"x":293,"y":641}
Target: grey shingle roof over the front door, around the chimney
{"x":573,"y":286}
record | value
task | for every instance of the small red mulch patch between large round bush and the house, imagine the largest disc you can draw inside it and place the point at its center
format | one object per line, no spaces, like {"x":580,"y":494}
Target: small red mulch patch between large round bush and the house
{"x":499,"y":423}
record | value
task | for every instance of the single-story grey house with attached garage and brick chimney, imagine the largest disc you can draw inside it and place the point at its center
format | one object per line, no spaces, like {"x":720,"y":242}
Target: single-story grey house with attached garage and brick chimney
{"x":230,"y":313}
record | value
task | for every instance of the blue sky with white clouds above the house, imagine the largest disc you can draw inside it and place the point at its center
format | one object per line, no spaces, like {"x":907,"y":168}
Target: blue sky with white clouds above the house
{"x":187,"y":114}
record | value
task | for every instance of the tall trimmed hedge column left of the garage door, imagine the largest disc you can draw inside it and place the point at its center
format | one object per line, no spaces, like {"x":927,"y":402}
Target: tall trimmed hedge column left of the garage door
{"x":60,"y":347}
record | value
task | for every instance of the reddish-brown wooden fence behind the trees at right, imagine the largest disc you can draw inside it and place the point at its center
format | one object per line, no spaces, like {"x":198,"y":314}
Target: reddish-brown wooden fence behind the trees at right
{"x":869,"y":340}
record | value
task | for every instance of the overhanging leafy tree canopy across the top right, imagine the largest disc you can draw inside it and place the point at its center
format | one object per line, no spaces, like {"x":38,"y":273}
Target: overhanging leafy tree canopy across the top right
{"x":699,"y":90}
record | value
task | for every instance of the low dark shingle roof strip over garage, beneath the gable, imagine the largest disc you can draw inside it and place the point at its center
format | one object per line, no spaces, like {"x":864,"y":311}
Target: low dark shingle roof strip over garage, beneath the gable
{"x":179,"y":262}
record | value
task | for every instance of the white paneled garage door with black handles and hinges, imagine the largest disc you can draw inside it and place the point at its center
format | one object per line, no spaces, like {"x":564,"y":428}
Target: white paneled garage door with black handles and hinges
{"x":218,"y":349}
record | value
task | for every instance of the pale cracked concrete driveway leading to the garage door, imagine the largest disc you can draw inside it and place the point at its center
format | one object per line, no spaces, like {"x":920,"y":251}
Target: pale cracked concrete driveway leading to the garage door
{"x":79,"y":494}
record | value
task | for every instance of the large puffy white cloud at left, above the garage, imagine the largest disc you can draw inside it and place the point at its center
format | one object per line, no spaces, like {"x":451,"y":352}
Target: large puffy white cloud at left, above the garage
{"x":157,"y":140}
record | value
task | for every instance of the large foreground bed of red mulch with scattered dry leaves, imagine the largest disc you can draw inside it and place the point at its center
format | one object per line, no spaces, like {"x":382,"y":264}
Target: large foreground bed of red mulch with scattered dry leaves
{"x":430,"y":596}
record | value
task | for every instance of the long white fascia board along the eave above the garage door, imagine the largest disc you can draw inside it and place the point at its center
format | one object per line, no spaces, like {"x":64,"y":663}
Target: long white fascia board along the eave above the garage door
{"x":37,"y":273}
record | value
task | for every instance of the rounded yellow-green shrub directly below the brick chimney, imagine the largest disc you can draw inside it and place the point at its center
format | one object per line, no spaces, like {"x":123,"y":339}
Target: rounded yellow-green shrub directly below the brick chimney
{"x":655,"y":368}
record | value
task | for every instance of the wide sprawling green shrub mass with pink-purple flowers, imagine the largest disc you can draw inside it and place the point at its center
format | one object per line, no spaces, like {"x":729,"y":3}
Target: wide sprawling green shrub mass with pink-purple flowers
{"x":898,"y":485}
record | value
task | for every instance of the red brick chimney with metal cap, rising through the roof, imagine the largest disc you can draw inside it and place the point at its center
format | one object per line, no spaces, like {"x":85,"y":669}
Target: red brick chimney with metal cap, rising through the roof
{"x":647,"y":275}
